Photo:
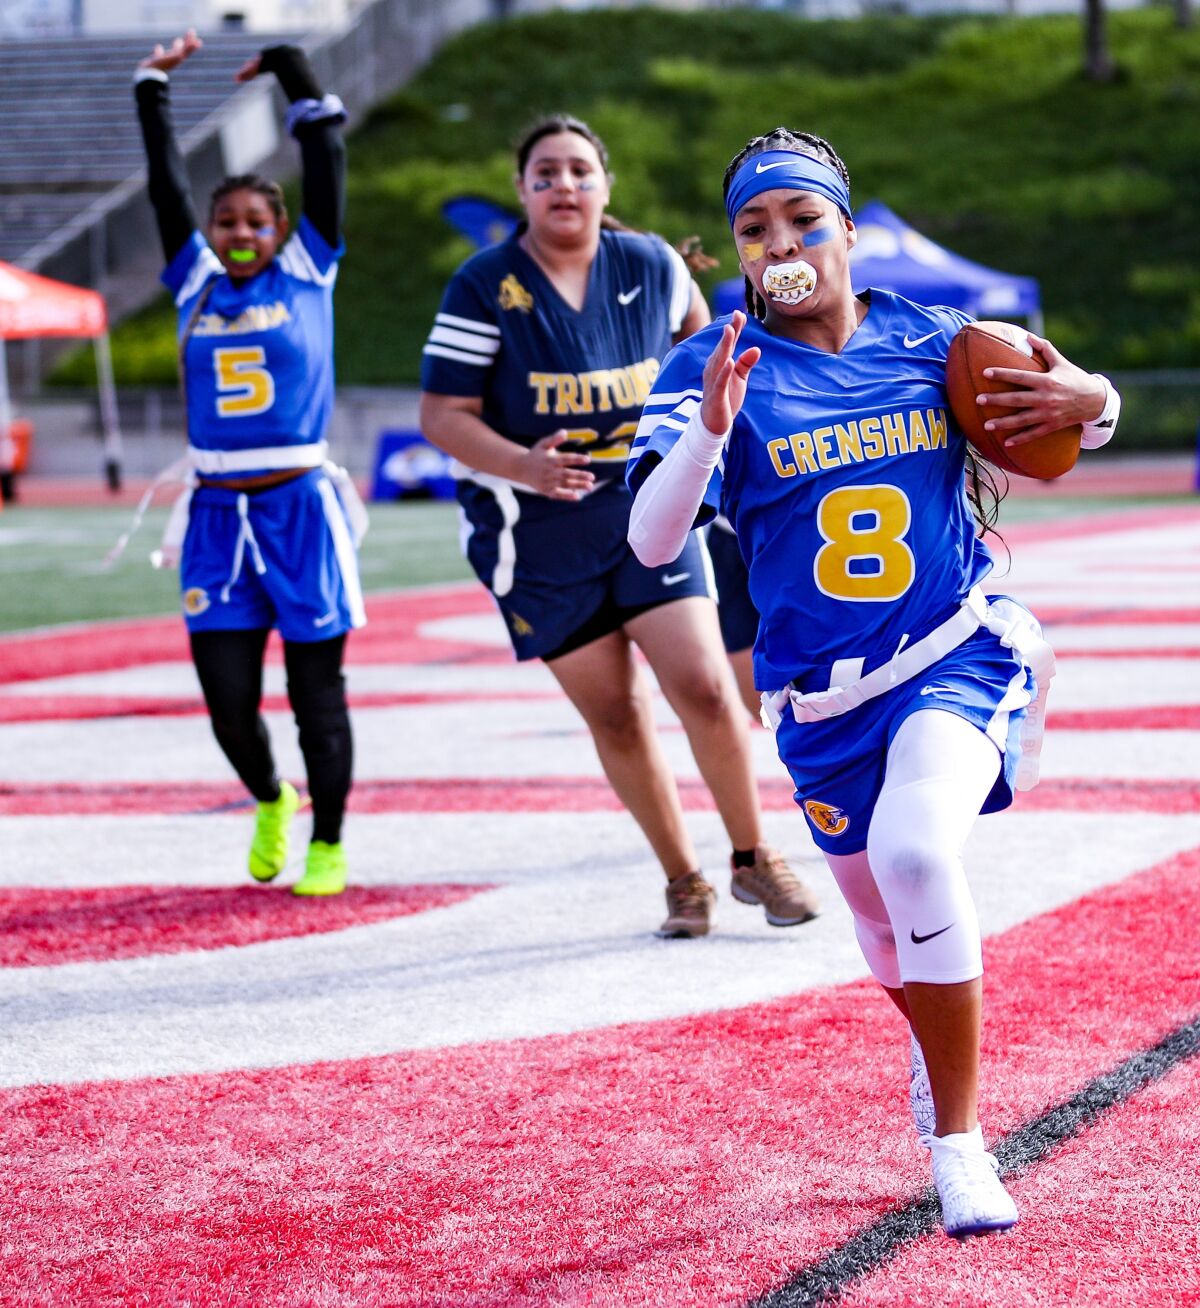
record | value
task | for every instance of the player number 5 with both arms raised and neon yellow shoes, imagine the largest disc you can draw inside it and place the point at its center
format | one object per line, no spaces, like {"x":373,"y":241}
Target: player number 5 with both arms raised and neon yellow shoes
{"x":269,"y":538}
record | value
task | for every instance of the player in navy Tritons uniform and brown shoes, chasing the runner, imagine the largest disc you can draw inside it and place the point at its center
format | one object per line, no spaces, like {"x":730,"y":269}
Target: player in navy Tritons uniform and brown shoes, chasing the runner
{"x":535,"y":376}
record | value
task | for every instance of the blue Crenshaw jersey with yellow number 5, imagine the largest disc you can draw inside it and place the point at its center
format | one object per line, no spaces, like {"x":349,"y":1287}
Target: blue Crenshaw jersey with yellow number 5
{"x":260,"y":354}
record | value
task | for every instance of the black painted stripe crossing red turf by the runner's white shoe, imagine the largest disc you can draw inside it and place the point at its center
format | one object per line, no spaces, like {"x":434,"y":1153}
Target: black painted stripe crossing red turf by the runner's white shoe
{"x":824,"y":1282}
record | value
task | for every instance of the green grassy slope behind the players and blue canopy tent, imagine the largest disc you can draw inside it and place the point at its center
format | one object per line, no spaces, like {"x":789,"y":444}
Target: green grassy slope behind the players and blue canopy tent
{"x":981,"y":133}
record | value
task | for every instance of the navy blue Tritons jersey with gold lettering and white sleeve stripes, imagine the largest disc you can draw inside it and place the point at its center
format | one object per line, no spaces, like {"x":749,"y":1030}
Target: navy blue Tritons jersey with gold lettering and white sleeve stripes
{"x":504,"y":334}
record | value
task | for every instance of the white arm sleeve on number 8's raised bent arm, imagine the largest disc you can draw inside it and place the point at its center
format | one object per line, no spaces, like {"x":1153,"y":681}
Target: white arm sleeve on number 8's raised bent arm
{"x":667,"y":504}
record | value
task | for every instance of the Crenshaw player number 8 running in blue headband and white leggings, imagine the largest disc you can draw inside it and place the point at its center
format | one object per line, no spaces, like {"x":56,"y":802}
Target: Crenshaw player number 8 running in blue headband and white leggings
{"x":820,"y":426}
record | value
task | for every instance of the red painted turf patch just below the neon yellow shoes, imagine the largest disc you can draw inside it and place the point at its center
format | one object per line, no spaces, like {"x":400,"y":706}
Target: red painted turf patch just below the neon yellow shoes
{"x":40,"y":928}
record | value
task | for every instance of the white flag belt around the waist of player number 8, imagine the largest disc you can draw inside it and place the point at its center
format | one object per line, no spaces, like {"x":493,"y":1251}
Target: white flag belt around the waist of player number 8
{"x":1008,"y":622}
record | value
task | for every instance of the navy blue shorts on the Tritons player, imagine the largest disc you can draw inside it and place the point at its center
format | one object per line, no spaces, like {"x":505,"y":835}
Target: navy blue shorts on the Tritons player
{"x":563,"y":574}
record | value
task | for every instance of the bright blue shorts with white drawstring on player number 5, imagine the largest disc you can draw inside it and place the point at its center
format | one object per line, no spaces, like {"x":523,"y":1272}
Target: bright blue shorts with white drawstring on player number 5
{"x":309,"y":585}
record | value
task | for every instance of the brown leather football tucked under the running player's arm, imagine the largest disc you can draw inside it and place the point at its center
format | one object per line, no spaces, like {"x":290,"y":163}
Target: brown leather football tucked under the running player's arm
{"x":995,"y":345}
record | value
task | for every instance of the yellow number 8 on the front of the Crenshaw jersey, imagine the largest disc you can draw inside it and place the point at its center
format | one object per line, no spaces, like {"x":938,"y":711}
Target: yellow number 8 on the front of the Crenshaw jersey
{"x":864,"y":526}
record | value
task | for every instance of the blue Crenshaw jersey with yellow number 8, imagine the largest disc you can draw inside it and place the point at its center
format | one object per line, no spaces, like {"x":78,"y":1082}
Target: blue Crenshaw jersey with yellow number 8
{"x":845,"y":481}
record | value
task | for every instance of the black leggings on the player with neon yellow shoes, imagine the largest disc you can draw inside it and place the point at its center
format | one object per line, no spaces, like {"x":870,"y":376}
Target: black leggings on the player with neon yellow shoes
{"x":231,"y":670}
